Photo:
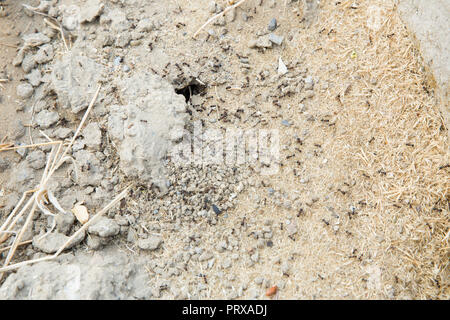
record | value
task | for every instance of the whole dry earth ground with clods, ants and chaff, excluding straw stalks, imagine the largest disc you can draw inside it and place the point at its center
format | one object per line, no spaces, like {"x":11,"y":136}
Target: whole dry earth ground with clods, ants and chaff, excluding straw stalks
{"x":345,"y":217}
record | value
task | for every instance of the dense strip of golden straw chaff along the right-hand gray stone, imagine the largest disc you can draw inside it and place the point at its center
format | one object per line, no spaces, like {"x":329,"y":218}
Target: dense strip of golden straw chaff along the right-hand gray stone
{"x":393,"y":137}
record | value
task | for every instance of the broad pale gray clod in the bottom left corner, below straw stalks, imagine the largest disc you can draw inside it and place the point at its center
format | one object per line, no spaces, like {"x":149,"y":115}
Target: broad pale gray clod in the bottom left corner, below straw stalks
{"x":105,"y":274}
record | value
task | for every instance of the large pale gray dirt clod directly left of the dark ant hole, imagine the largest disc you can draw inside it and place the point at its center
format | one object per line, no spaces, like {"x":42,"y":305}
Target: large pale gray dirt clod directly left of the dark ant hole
{"x":147,"y":127}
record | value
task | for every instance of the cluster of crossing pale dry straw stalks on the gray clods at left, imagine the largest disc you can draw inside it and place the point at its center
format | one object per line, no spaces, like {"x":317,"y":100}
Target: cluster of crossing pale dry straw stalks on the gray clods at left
{"x":57,"y":158}
